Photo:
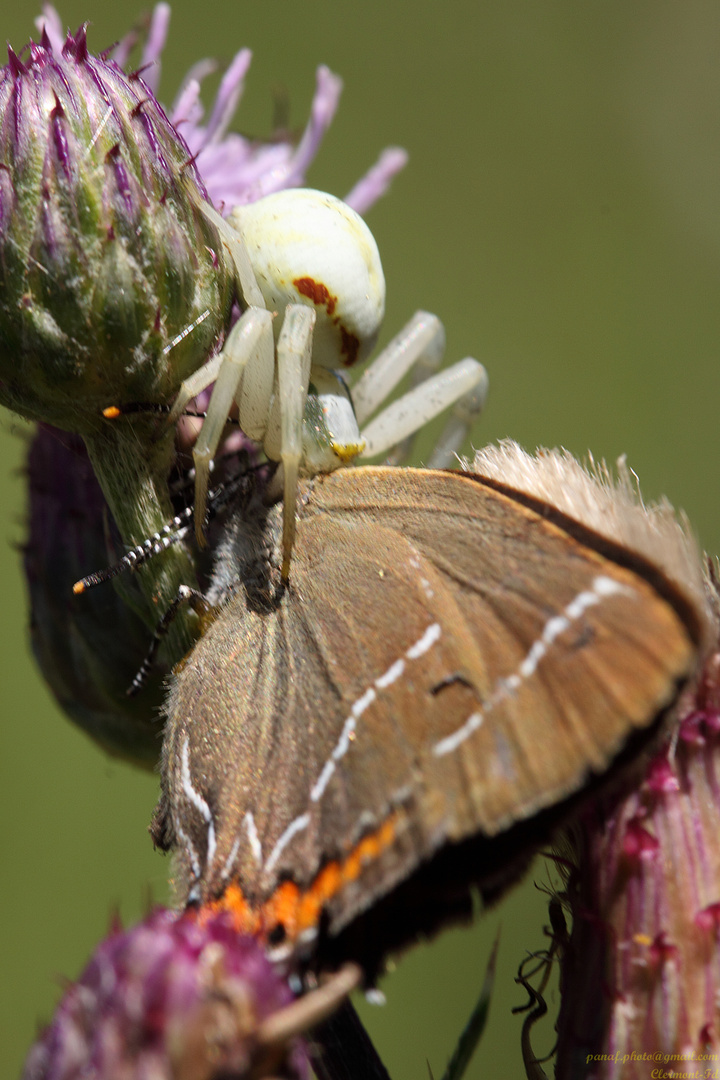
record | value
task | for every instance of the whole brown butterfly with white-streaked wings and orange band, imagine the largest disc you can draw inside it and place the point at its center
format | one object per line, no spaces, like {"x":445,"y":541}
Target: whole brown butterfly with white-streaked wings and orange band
{"x":456,"y":659}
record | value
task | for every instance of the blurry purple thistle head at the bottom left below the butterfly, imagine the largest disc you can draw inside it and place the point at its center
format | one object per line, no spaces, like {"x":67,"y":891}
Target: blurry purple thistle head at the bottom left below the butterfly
{"x":173,"y":998}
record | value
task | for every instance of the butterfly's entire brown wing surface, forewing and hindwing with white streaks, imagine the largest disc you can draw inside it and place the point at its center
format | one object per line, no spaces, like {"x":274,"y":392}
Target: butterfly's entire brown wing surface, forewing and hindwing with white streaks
{"x":445,"y":663}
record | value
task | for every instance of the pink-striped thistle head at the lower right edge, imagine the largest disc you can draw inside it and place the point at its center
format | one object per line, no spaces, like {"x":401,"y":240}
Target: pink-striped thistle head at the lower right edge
{"x":641,"y":977}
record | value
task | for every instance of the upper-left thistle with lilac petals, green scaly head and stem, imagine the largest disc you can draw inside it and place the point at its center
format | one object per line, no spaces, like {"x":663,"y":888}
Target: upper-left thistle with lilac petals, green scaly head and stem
{"x":114,"y":283}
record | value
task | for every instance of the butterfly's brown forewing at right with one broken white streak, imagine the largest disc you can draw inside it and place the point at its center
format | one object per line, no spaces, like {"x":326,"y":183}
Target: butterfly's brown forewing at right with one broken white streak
{"x":581,"y":651}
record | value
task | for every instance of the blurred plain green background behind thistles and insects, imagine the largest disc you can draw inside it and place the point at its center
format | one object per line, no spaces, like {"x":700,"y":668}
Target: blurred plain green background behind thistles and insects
{"x":561,"y":213}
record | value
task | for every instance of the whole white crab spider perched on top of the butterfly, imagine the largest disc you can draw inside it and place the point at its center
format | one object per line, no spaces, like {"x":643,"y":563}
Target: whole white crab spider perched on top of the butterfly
{"x":310,"y":278}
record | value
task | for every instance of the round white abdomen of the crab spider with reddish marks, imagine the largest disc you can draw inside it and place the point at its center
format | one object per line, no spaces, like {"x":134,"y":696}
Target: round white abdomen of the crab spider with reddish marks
{"x":310,"y":248}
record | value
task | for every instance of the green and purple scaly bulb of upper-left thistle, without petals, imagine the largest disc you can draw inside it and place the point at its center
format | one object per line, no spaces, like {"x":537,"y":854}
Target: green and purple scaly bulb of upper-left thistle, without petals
{"x":112,"y":283}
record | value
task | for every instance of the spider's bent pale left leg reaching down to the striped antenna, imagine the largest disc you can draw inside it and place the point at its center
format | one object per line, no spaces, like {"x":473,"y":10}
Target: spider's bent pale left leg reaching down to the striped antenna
{"x":246,"y":374}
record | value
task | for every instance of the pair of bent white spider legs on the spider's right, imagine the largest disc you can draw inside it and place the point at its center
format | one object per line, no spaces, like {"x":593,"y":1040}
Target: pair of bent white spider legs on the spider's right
{"x":419,"y":347}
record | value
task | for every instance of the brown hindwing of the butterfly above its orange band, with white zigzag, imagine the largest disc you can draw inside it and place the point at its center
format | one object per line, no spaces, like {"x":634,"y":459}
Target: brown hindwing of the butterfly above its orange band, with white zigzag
{"x":257,"y":713}
